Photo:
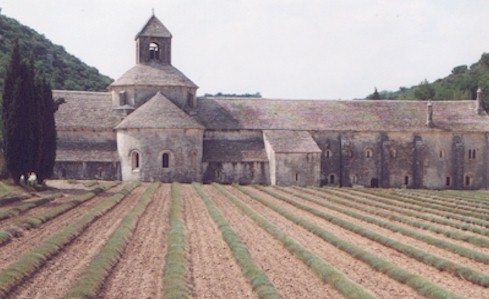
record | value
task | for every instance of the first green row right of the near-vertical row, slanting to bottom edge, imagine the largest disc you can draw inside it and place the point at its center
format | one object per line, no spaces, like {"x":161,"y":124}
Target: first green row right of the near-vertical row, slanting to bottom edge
{"x":257,"y":277}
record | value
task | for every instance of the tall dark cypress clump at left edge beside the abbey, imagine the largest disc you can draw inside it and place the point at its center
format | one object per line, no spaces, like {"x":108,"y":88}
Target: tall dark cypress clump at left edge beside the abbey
{"x":29,"y":133}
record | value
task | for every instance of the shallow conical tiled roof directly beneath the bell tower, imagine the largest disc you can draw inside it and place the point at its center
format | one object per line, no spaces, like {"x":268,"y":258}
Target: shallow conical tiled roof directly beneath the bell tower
{"x":154,"y":74}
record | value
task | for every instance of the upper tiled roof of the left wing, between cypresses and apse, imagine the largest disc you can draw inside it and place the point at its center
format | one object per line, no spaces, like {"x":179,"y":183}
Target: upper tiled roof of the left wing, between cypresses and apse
{"x":91,"y":110}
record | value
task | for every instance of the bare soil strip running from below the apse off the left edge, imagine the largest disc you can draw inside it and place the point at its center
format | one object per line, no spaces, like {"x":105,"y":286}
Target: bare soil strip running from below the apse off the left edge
{"x":13,"y":250}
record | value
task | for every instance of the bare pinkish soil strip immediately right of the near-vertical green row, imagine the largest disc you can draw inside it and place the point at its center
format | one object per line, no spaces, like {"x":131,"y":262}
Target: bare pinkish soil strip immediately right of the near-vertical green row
{"x":211,"y":263}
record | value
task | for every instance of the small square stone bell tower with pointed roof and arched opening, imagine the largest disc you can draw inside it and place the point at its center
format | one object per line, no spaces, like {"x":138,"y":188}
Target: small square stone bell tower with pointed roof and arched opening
{"x":153,"y":43}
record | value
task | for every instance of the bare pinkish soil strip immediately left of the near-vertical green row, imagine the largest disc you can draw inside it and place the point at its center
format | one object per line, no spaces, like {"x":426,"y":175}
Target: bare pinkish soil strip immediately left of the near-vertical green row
{"x":139,"y":273}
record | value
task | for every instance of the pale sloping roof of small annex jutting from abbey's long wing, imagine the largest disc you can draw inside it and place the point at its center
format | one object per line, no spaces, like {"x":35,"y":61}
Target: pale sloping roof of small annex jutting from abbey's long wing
{"x":291,"y":141}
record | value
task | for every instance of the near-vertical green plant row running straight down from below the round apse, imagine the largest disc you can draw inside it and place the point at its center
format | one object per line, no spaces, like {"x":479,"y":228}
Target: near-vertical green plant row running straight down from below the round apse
{"x":175,"y":283}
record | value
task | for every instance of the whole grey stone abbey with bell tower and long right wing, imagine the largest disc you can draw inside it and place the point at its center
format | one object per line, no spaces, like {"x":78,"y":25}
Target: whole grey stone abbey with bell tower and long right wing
{"x":150,"y":126}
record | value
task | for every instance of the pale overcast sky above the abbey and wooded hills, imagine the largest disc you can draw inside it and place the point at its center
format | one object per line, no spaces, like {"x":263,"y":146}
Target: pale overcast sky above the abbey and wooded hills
{"x":293,"y":49}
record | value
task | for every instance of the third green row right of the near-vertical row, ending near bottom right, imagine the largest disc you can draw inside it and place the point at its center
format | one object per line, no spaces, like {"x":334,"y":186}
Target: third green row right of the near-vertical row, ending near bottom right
{"x":416,"y":282}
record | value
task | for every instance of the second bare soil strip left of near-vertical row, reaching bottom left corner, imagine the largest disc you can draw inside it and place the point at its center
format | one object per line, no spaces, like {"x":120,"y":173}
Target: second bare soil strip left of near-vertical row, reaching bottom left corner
{"x":60,"y":273}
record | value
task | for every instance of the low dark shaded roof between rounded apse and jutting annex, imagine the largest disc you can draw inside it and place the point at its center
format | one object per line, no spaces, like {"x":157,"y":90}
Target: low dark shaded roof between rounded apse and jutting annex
{"x":234,"y":151}
